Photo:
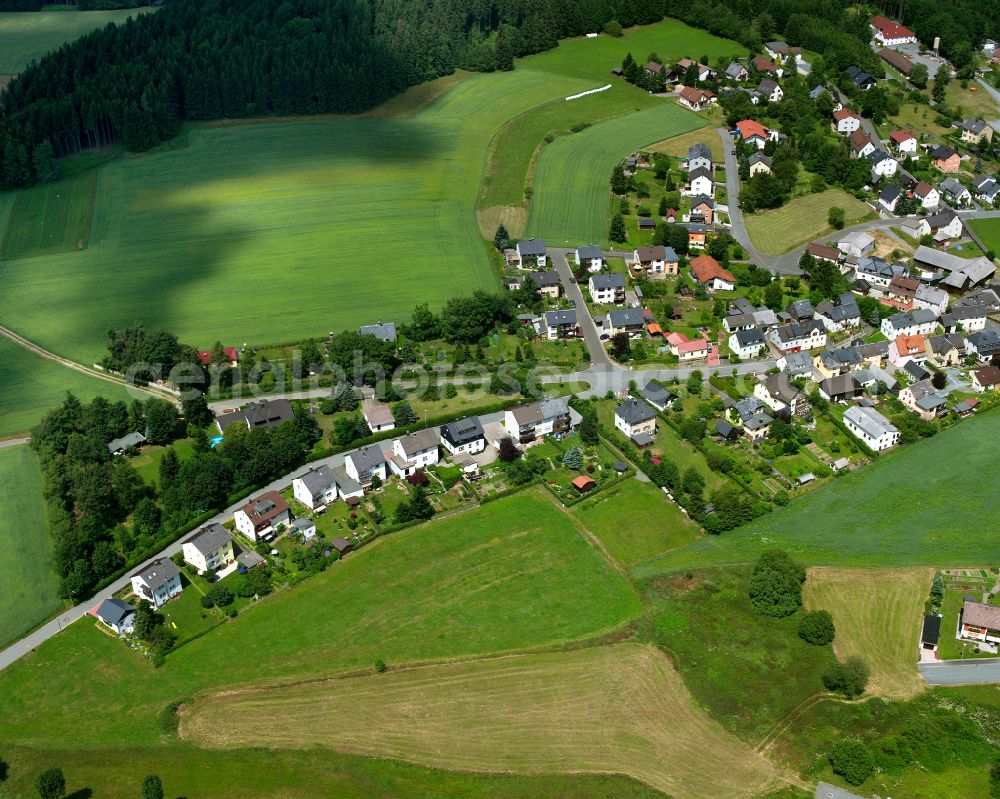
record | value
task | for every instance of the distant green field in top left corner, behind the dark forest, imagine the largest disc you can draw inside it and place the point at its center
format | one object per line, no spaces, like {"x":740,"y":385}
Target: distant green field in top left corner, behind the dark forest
{"x":27,"y":36}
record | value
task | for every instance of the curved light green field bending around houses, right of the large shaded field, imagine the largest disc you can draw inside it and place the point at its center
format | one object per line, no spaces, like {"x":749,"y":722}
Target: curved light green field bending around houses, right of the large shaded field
{"x":571,"y":186}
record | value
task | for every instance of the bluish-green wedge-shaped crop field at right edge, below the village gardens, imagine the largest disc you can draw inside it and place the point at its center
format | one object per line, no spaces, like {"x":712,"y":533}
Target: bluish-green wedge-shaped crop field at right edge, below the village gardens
{"x":894,"y":512}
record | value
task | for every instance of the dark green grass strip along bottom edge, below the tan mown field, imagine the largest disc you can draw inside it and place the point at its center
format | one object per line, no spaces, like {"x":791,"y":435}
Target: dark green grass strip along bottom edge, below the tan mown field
{"x":316,"y":774}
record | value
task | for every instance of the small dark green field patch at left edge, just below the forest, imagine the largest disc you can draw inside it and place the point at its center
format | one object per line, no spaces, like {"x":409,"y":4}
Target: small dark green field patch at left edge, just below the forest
{"x":55,"y":217}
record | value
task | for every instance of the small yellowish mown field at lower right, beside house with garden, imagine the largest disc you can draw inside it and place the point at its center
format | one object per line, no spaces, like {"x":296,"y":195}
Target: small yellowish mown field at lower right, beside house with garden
{"x":877,"y":614}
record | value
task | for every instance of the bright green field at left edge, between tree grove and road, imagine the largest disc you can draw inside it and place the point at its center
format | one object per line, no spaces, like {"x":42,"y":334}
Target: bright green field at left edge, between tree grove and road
{"x":29,"y":589}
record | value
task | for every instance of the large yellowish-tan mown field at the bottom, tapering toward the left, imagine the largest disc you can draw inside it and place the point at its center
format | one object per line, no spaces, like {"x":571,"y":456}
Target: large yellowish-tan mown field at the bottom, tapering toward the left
{"x":620,"y":709}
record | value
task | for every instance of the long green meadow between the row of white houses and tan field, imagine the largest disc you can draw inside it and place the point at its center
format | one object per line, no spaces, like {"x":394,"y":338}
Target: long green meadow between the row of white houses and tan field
{"x":511,"y":575}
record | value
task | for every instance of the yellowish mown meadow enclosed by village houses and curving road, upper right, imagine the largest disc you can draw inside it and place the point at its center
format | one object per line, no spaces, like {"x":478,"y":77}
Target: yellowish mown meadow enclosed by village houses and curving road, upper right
{"x":801,"y":220}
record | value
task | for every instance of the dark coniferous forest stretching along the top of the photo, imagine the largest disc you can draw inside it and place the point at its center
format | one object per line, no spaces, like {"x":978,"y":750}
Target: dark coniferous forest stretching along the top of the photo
{"x":208,"y":59}
